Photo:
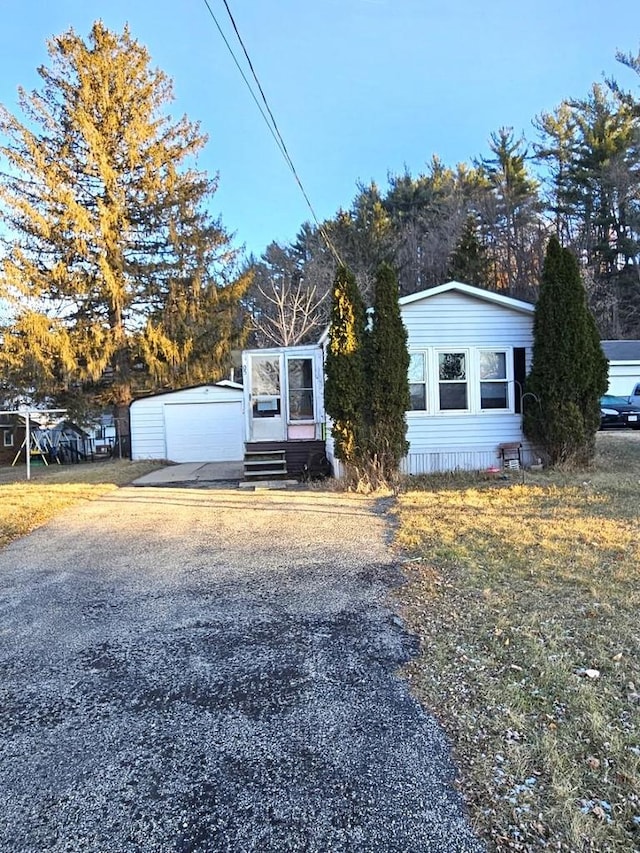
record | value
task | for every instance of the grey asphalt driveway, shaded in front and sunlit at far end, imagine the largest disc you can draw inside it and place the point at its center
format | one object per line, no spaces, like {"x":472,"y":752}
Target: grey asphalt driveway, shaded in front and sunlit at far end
{"x":186,"y":670}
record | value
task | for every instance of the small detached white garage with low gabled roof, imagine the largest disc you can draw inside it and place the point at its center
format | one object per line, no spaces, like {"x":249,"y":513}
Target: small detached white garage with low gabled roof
{"x":204,"y":423}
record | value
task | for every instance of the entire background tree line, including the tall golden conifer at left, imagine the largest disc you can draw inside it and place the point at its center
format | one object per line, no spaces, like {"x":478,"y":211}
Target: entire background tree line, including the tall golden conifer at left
{"x":116,"y":278}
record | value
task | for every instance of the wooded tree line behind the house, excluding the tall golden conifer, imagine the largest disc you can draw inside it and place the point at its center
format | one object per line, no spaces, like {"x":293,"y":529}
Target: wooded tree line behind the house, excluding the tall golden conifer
{"x":485,"y":223}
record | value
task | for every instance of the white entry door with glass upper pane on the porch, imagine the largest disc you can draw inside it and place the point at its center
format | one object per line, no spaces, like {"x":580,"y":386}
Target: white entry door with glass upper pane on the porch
{"x":266,"y":416}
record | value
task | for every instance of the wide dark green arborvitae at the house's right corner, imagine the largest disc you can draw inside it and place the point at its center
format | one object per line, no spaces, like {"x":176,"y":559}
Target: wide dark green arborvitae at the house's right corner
{"x":569,"y":370}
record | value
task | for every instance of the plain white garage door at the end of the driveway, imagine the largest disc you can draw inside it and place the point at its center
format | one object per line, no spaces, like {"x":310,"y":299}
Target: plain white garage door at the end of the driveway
{"x":204,"y":432}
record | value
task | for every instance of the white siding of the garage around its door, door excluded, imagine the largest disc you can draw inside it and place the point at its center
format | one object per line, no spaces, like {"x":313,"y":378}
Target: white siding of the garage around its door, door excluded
{"x":148,"y":436}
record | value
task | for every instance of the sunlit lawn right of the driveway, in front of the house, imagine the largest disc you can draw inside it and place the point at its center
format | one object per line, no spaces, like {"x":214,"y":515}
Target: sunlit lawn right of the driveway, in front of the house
{"x":527,"y":600}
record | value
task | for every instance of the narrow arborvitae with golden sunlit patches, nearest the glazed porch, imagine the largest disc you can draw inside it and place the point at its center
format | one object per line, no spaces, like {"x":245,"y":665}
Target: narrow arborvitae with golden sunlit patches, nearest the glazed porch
{"x":345,"y":383}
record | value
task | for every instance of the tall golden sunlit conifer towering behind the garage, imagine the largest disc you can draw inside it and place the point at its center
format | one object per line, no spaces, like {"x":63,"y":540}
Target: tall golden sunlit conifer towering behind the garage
{"x":114,"y":268}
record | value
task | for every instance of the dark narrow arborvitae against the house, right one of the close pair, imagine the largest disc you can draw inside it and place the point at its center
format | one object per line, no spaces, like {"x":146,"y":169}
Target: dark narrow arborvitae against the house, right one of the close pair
{"x":387,"y":371}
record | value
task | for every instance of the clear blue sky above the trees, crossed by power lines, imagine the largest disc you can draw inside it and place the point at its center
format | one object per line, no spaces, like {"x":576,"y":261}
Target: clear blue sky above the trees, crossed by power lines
{"x":358,"y":87}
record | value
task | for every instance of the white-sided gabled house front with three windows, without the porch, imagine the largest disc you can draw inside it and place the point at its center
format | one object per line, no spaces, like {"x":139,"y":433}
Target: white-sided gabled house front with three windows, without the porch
{"x":470,"y":350}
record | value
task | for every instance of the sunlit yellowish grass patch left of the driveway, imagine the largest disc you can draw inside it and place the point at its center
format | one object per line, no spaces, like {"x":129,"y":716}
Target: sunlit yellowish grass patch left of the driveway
{"x":26,"y":505}
